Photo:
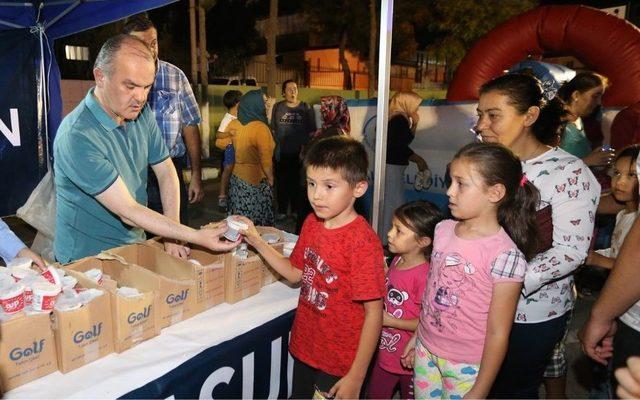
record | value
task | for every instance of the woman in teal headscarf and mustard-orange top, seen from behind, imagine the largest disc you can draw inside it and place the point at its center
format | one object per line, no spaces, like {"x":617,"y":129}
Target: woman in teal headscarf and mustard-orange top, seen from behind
{"x":251,"y":184}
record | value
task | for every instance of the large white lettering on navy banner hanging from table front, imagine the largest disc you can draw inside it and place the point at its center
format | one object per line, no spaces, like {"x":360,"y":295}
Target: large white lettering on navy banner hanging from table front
{"x":224,"y":375}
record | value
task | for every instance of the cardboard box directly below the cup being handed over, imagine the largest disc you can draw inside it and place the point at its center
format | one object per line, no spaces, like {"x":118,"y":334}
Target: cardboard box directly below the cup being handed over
{"x":242,"y":278}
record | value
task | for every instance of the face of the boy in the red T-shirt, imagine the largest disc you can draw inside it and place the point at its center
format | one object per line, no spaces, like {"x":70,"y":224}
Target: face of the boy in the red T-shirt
{"x":331,"y":196}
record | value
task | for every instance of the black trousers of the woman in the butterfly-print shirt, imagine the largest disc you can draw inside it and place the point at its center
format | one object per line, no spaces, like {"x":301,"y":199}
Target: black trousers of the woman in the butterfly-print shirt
{"x":530,"y":348}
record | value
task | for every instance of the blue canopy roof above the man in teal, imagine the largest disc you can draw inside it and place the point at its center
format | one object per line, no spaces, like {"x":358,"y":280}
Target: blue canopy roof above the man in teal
{"x":65,"y":17}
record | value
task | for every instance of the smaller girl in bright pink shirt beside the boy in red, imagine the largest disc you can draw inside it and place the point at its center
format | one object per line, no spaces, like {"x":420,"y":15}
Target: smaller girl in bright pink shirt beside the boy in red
{"x":410,"y":239}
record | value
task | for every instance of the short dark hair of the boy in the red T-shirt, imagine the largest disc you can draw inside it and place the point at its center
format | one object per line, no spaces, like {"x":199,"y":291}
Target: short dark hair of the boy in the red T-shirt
{"x":340,"y":153}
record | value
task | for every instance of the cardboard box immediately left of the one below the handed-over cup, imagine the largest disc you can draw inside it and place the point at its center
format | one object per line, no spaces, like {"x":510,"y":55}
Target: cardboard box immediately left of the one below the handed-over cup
{"x":209,"y":275}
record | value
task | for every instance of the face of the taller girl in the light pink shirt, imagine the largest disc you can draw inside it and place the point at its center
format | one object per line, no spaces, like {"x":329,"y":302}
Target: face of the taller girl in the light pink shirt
{"x":469,"y":197}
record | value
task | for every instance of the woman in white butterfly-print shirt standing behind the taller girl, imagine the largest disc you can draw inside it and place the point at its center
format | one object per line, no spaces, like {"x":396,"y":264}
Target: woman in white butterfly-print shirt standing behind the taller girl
{"x":512,"y":111}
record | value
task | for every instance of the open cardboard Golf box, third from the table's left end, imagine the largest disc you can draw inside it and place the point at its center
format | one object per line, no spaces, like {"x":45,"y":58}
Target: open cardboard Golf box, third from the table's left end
{"x":135,"y":319}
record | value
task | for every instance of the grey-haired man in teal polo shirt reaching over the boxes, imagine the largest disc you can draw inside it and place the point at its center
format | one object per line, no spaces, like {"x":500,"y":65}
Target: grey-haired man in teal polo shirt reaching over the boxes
{"x":102,"y":151}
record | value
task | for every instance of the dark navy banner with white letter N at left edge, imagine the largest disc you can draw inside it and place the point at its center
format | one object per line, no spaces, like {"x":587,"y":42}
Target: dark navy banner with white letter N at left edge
{"x":22,"y":149}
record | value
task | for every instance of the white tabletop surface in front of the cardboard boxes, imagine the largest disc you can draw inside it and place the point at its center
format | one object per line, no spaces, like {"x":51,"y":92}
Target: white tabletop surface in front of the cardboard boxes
{"x":118,"y":374}
